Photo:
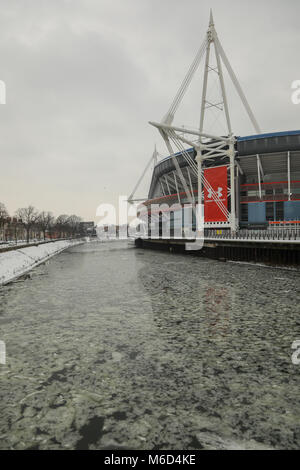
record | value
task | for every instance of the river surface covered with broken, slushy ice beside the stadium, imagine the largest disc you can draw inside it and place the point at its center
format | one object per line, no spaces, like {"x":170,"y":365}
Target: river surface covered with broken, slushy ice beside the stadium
{"x":112,"y":347}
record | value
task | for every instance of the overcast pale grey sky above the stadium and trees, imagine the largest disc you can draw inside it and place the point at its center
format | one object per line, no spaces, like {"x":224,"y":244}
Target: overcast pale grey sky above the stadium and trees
{"x":84,"y":77}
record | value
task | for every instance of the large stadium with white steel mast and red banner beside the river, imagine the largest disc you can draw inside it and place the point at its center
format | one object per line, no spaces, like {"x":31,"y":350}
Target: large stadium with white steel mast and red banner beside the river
{"x":250,"y":182}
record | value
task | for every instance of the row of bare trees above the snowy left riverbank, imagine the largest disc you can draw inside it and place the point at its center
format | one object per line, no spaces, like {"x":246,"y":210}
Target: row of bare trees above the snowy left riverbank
{"x":29,"y":221}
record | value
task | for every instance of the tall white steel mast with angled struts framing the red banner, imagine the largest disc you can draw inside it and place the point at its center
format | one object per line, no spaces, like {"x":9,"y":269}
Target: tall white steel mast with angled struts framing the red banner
{"x":207,"y":146}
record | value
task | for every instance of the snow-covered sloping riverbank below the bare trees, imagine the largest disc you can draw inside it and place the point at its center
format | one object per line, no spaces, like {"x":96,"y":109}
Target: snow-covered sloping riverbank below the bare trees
{"x":18,"y":262}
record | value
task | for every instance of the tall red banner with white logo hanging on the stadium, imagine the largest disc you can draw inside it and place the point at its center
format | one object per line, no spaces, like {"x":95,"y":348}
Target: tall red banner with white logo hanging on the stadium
{"x":216,"y":179}
